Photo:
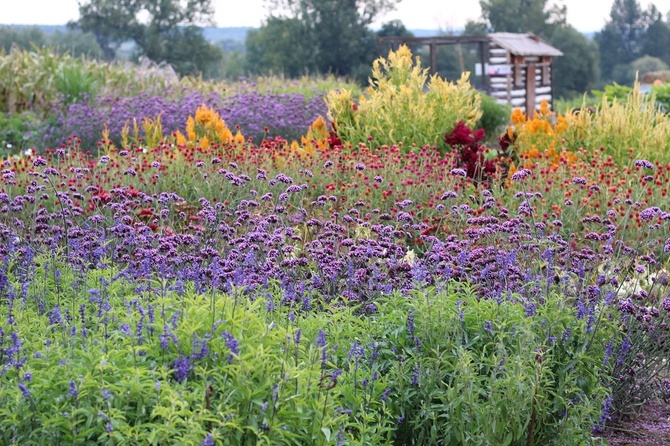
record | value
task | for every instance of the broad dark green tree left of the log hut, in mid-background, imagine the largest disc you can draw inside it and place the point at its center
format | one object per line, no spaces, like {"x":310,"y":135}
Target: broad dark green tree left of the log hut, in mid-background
{"x":328,"y":35}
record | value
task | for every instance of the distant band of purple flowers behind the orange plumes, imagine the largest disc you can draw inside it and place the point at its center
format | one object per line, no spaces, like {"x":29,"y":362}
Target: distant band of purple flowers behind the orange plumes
{"x":283,"y":114}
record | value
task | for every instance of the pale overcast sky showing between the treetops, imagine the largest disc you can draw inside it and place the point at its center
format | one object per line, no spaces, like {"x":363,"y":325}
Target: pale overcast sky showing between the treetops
{"x":585,"y":15}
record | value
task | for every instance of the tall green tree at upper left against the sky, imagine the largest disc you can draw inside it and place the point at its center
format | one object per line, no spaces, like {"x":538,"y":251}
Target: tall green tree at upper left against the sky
{"x":163,"y":30}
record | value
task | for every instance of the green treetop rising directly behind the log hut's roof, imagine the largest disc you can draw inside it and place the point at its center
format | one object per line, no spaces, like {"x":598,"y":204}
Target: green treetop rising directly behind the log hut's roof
{"x":522,"y":16}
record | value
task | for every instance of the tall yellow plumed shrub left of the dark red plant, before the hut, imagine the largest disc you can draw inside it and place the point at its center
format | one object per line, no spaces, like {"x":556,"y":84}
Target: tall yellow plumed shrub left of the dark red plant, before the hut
{"x":403,"y":104}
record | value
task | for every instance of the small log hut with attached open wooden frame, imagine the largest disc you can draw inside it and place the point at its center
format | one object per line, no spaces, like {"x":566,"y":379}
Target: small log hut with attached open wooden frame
{"x":506,"y":59}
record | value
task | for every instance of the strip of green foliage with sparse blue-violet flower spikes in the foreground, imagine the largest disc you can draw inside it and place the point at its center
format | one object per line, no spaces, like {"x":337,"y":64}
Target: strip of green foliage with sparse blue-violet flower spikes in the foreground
{"x":435,"y":369}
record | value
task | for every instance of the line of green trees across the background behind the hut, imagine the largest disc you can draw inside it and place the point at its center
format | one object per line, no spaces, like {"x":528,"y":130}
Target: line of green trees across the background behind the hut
{"x":334,"y":36}
